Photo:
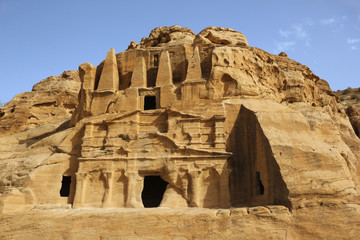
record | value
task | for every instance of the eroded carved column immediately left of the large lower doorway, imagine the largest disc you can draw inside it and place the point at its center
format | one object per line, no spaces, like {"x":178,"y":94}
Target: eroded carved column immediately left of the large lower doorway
{"x":133,"y":199}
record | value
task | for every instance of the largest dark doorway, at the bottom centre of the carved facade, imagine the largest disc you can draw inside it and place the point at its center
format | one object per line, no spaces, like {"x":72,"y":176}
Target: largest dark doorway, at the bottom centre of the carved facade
{"x":154,"y":188}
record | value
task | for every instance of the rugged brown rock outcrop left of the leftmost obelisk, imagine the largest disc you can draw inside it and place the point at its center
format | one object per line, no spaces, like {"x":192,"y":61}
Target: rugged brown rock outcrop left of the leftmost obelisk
{"x":51,"y":100}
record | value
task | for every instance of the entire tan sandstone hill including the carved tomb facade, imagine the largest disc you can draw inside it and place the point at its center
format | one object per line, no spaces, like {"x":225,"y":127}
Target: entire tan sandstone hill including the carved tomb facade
{"x":181,"y":136}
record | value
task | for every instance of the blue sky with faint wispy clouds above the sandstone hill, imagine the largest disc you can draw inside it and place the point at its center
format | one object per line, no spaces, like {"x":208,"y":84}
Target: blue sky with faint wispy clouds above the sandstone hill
{"x":40,"y":38}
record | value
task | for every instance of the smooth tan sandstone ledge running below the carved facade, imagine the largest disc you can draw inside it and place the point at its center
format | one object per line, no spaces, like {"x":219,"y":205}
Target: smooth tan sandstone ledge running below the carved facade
{"x":272,"y":222}
